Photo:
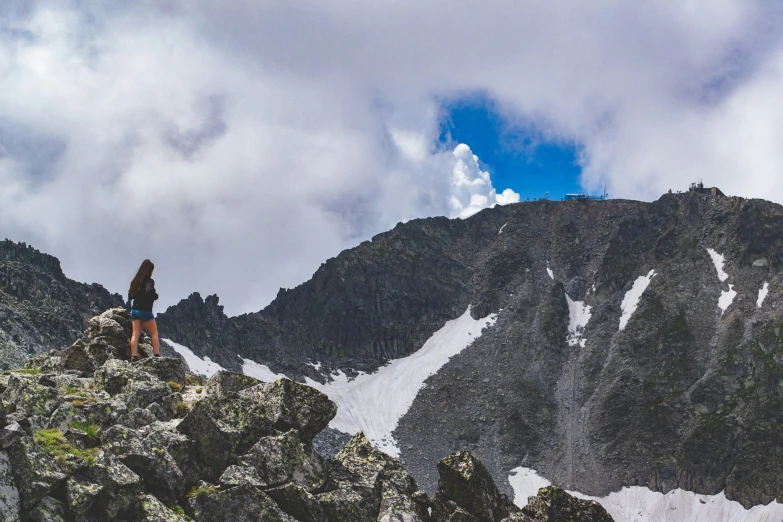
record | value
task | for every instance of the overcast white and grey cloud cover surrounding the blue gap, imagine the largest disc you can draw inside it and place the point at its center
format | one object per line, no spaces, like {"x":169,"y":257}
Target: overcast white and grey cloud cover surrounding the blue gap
{"x":239,"y":144}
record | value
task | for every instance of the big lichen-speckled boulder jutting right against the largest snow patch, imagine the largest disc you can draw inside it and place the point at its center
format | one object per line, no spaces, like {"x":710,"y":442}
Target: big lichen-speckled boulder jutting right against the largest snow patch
{"x":294,"y":406}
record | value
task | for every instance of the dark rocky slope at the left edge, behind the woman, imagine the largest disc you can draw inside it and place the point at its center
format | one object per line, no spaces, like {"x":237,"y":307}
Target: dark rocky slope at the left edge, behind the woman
{"x":40,"y":308}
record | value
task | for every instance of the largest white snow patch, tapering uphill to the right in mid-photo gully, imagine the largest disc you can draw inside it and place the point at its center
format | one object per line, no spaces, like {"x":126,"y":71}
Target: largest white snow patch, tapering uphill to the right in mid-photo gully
{"x":376,"y":402}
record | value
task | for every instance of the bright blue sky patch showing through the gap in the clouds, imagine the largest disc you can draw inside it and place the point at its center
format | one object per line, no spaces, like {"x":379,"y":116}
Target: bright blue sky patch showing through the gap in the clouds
{"x":517,"y":156}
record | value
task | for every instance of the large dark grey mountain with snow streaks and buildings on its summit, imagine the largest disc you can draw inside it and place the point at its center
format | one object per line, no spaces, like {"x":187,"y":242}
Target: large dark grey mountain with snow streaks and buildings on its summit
{"x":636,"y":342}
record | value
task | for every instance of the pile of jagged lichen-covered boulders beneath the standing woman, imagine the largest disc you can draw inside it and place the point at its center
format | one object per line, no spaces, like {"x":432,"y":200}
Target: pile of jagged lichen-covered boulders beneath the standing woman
{"x":88,"y":436}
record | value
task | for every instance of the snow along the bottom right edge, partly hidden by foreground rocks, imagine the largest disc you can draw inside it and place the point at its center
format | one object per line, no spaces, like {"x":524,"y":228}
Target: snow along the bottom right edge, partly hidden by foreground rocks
{"x":640,"y":504}
